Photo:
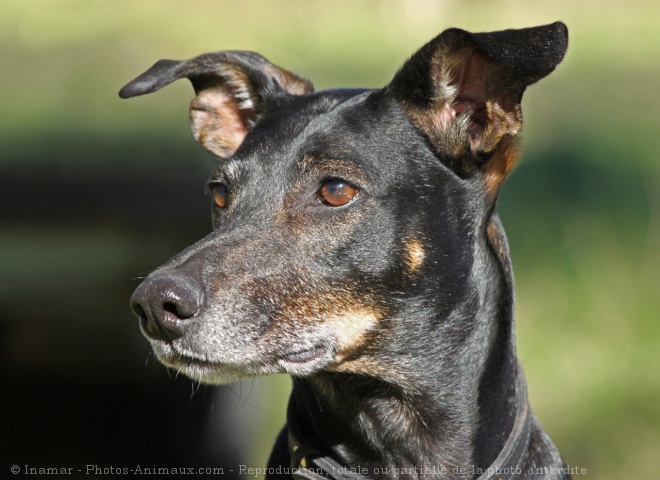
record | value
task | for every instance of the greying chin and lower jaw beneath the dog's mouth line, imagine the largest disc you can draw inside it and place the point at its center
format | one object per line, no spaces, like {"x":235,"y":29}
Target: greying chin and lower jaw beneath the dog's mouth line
{"x":299,"y":363}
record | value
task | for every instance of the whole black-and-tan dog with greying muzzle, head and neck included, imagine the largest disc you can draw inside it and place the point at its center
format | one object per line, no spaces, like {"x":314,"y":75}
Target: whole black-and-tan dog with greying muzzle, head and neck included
{"x":356,"y":246}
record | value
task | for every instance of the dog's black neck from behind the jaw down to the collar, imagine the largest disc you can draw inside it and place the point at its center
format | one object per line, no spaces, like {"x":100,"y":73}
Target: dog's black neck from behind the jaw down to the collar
{"x":452,"y":412}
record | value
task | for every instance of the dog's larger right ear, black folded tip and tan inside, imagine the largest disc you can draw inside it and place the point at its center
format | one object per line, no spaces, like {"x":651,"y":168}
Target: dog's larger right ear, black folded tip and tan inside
{"x":463,"y":91}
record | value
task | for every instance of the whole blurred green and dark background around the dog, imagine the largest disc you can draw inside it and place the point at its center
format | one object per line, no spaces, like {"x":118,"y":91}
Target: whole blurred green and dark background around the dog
{"x":97,"y":191}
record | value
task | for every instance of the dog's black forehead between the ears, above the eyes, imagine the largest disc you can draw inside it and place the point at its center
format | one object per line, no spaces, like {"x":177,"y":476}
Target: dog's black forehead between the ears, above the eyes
{"x":341,"y":125}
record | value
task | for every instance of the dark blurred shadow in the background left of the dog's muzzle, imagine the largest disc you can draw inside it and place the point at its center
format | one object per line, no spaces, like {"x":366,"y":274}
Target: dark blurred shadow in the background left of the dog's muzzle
{"x":81,"y":221}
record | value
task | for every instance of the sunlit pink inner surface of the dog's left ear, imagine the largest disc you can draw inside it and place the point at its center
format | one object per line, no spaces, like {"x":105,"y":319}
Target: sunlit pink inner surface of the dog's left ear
{"x":217,"y":122}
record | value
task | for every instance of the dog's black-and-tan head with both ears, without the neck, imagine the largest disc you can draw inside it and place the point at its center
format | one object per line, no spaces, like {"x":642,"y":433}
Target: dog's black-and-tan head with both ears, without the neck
{"x":344,"y":221}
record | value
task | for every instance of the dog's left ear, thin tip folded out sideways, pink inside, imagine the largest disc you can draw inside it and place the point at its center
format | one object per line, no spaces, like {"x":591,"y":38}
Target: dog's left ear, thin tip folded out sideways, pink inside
{"x":233,"y":90}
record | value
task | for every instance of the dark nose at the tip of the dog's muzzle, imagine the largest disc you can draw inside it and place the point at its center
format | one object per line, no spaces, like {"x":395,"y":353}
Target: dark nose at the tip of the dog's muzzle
{"x":165,"y":304}
